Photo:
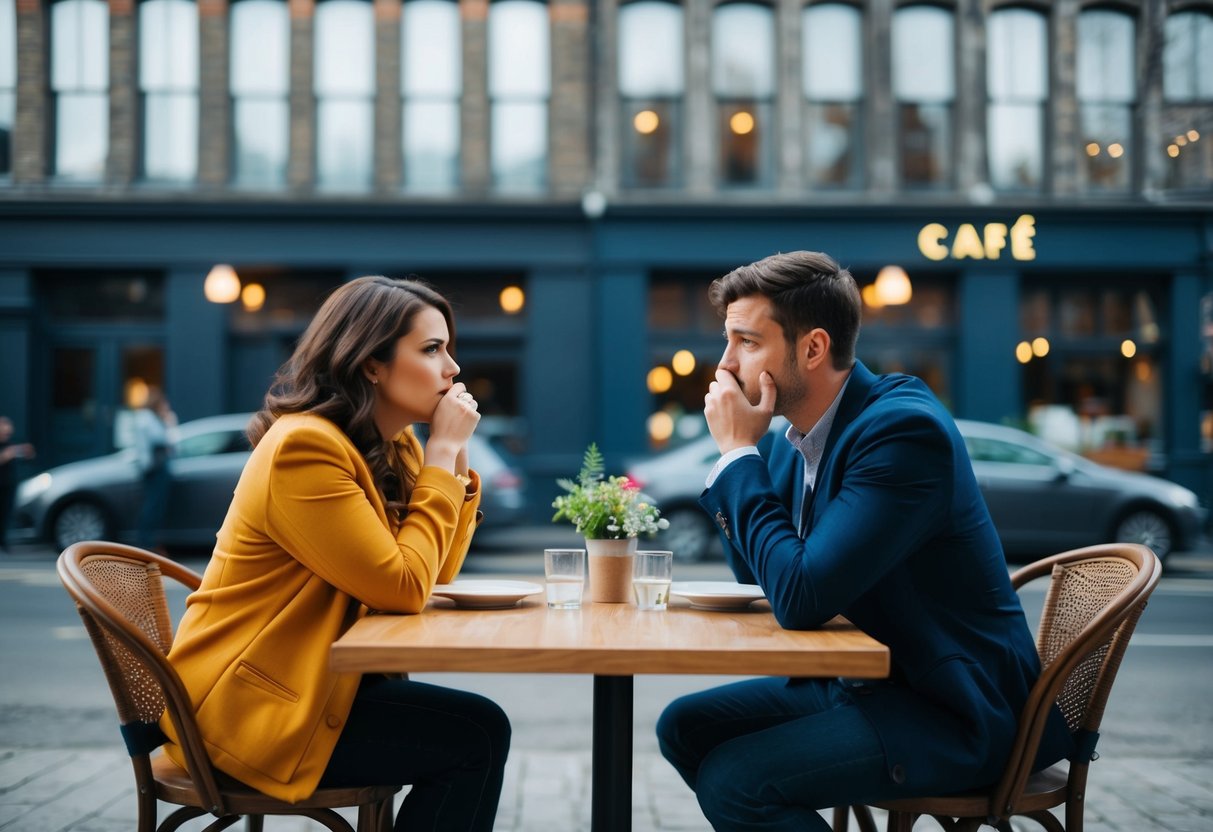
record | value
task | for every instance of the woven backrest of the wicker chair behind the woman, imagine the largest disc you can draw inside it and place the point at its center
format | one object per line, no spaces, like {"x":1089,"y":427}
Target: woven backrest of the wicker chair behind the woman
{"x":119,"y":594}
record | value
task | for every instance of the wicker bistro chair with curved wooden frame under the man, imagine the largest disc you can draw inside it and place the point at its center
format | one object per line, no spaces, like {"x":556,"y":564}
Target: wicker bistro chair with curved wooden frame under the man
{"x":1094,"y":603}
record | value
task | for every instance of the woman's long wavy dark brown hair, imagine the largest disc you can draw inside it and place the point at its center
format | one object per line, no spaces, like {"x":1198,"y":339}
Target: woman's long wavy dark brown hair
{"x":324,"y":377}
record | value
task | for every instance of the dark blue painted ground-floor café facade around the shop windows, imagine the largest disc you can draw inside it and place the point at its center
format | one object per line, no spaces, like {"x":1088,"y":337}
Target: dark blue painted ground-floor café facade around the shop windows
{"x":584,"y":349}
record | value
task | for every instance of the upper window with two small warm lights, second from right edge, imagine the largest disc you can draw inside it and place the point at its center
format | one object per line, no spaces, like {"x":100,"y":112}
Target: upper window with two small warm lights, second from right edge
{"x":1107,"y":84}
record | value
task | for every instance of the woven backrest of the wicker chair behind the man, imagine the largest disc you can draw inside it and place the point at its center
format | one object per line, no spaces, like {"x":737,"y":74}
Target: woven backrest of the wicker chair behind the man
{"x":1095,"y":600}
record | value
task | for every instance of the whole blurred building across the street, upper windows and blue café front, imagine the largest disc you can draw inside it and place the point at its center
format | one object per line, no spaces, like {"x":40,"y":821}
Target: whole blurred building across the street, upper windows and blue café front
{"x":1024,"y":192}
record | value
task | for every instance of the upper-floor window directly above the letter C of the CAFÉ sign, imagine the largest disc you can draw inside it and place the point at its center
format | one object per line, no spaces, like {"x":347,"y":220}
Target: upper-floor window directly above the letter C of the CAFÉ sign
{"x":925,"y":88}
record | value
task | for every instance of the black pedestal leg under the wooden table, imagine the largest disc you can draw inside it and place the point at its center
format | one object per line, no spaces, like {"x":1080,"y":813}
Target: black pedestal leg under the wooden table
{"x":612,"y":777}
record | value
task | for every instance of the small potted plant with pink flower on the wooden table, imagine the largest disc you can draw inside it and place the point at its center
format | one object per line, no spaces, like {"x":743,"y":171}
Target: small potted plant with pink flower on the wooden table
{"x":610,"y":512}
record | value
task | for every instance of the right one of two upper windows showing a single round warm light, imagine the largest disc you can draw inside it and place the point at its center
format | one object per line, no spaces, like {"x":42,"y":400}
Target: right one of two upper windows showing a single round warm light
{"x":744,"y":86}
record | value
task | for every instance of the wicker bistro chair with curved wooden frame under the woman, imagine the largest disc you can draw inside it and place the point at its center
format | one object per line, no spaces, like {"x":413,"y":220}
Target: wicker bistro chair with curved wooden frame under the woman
{"x":121,"y":596}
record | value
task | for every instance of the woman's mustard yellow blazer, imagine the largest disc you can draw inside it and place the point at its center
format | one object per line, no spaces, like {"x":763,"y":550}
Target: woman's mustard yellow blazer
{"x":306,"y":549}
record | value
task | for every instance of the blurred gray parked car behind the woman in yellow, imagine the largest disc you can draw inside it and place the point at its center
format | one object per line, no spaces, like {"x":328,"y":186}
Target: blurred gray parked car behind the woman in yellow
{"x":99,"y":499}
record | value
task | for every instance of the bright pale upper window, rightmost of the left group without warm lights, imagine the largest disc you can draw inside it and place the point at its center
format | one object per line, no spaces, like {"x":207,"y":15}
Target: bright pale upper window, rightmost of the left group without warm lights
{"x":520,"y":84}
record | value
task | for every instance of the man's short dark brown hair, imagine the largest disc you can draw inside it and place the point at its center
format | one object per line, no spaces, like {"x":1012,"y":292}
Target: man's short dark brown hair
{"x":807,"y":290}
